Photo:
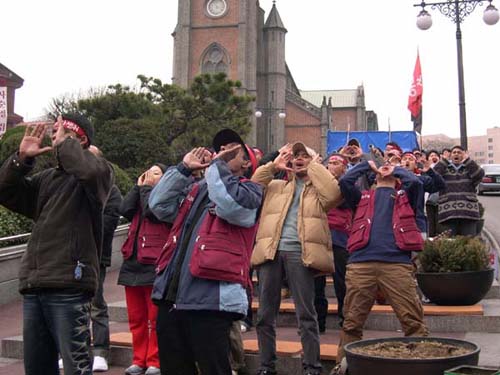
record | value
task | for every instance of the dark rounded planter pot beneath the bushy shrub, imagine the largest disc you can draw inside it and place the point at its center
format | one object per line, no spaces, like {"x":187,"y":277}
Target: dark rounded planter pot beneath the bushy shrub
{"x":455,"y":288}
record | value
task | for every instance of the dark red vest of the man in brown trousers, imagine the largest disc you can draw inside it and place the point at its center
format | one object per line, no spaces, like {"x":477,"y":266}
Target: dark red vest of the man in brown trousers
{"x":406,"y":233}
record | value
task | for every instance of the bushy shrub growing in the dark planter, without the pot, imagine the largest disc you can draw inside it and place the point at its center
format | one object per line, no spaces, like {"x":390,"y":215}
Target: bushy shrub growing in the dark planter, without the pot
{"x":454,"y":255}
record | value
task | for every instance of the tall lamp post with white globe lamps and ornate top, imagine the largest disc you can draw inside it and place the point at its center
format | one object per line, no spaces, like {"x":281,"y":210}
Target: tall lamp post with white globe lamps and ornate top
{"x":457,"y":10}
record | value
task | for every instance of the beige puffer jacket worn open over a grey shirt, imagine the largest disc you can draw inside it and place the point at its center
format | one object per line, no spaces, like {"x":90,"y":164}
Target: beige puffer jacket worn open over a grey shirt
{"x":320,"y":194}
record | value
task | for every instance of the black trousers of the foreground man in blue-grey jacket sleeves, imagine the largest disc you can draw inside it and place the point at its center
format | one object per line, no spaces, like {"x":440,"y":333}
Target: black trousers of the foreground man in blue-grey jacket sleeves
{"x":189,"y":338}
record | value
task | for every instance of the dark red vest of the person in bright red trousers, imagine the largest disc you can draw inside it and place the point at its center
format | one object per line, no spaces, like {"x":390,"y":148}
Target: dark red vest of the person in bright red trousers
{"x":151,"y":237}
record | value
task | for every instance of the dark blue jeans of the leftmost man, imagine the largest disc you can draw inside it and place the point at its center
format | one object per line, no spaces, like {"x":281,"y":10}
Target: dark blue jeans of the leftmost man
{"x":56,"y":323}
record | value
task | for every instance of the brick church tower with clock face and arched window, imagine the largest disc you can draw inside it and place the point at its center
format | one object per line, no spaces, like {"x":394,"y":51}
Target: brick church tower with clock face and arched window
{"x":217,"y":36}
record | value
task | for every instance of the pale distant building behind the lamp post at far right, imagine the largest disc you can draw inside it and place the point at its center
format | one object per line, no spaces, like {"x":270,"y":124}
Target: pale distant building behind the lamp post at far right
{"x":484,"y":149}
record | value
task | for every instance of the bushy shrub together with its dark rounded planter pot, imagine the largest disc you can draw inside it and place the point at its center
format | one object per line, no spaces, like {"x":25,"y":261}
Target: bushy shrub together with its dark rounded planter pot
{"x":455,"y":271}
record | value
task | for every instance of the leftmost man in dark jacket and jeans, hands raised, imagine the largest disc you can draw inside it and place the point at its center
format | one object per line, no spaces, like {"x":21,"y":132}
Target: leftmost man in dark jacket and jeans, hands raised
{"x":60,"y":269}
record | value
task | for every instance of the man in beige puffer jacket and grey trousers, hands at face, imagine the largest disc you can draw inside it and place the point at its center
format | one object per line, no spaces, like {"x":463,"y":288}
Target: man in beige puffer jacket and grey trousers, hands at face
{"x":293,"y":239}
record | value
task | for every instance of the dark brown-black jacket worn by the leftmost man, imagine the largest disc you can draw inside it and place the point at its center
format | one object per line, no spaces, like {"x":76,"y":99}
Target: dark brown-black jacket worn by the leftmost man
{"x":66,"y":204}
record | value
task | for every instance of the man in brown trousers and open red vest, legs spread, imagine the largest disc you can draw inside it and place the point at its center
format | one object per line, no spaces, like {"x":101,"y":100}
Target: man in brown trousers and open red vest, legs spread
{"x":384,"y":233}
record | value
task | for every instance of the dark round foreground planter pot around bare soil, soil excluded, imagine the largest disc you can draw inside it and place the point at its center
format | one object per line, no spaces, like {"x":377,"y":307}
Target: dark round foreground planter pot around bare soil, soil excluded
{"x":360,"y":364}
